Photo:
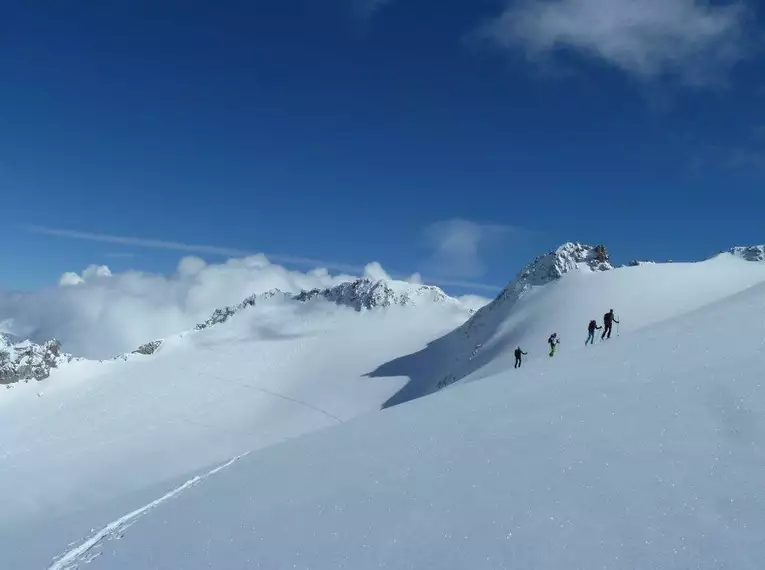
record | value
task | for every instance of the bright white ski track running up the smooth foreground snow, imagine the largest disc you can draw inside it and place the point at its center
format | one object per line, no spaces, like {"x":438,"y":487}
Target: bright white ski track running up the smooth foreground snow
{"x":84,"y":552}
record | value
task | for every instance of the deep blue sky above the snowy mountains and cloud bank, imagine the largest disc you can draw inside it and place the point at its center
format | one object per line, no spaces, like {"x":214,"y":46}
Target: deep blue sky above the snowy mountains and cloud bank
{"x":456,"y":139}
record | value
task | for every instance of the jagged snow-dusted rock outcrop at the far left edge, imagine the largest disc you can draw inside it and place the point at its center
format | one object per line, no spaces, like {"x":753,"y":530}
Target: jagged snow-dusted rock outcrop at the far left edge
{"x":26,"y":360}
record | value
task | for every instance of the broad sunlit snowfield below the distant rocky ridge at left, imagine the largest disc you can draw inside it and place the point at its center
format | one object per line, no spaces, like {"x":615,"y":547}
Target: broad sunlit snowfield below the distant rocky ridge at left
{"x":273,"y":369}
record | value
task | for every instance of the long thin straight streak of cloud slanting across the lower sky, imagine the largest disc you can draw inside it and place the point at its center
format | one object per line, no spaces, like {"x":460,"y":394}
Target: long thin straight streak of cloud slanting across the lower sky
{"x":372,"y":270}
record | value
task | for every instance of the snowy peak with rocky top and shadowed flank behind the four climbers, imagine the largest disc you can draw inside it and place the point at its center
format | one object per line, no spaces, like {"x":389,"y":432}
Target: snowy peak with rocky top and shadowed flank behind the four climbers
{"x":561,"y":292}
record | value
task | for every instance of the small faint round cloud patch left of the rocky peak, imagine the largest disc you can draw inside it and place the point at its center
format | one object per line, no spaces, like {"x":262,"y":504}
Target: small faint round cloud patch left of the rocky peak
{"x":457,"y":246}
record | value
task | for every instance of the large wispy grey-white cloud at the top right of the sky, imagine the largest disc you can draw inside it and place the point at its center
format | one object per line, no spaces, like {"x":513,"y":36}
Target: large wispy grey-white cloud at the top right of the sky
{"x":693,"y":40}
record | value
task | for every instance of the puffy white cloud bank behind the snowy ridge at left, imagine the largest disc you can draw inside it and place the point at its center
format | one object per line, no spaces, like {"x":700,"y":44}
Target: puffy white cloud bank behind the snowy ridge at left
{"x":98,"y":314}
